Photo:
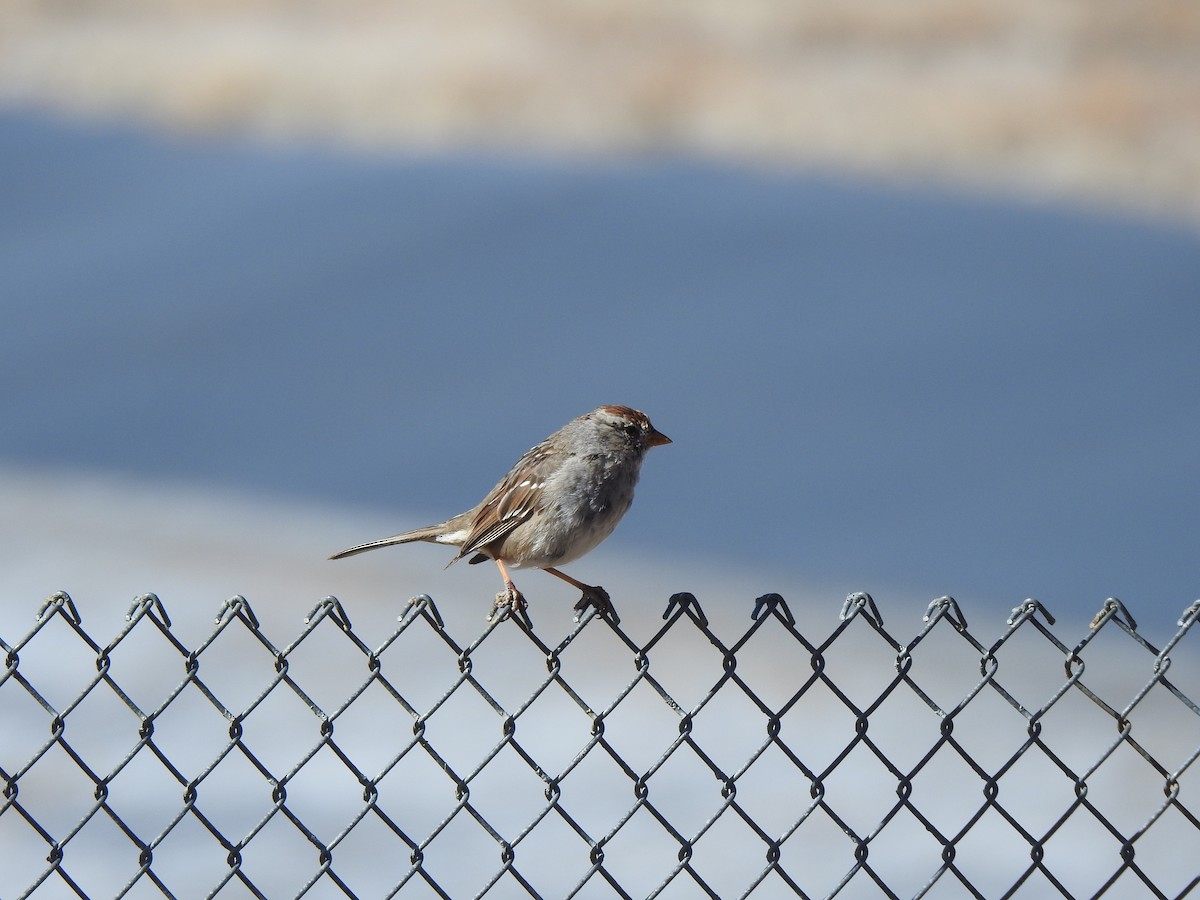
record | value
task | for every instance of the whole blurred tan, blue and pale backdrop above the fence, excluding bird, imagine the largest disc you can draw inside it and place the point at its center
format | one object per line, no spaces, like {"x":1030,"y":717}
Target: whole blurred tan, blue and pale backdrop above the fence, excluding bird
{"x":915,"y":289}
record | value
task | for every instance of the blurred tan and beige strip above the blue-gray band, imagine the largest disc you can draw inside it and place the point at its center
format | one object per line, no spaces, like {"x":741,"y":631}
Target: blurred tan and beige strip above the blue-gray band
{"x":1091,"y":101}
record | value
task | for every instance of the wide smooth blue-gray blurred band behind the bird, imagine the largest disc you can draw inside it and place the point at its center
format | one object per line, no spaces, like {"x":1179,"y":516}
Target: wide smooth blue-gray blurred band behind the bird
{"x":869,"y":388}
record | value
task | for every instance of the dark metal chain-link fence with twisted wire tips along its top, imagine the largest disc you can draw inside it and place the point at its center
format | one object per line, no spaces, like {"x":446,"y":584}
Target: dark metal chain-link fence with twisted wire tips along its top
{"x":766,"y":764}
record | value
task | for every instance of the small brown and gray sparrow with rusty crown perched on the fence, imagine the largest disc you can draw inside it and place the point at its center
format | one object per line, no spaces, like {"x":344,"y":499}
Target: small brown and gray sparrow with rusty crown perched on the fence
{"x":560,"y":501}
